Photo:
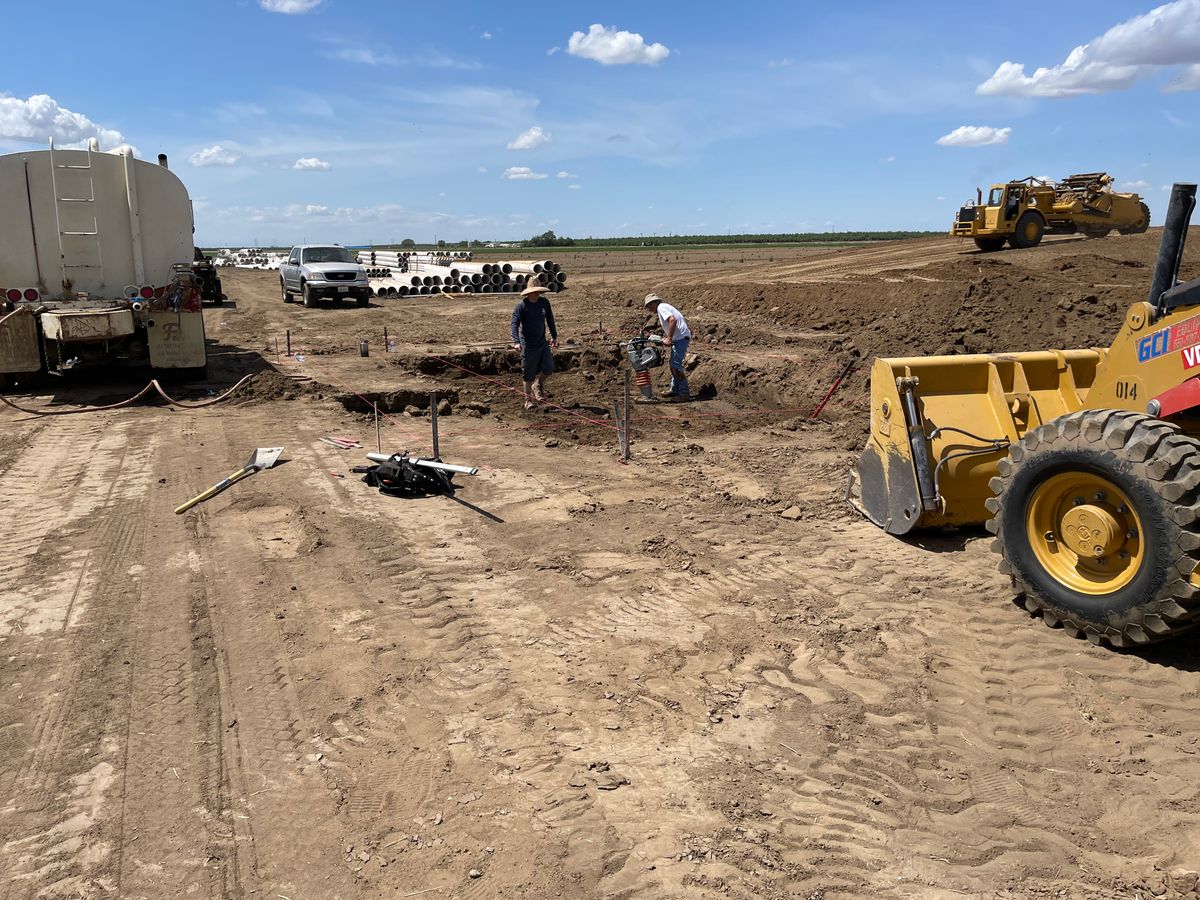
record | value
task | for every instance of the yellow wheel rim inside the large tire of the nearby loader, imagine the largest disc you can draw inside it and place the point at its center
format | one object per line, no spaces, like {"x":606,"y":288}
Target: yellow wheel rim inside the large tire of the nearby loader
{"x":1085,"y":533}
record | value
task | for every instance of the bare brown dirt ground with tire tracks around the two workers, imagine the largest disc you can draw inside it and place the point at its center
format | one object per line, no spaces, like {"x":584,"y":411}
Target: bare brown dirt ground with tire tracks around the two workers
{"x":697,"y":675}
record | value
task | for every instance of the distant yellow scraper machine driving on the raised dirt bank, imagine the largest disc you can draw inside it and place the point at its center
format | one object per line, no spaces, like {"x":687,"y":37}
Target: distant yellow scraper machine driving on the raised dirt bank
{"x":1021,"y":213}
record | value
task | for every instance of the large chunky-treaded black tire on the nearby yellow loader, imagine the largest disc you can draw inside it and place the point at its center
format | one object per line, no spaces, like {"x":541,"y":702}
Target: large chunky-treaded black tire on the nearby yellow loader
{"x":1155,"y":469}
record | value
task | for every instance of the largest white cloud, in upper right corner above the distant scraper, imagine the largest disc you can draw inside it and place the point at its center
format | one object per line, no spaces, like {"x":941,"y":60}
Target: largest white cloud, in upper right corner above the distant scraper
{"x":1168,"y":35}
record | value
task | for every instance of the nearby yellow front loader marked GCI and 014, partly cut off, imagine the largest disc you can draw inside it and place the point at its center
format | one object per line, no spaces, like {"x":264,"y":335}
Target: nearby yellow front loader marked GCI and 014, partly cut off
{"x":1085,"y":464}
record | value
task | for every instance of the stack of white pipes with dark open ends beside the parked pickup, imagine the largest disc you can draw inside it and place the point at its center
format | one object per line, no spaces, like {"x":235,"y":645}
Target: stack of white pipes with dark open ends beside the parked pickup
{"x":428,"y":274}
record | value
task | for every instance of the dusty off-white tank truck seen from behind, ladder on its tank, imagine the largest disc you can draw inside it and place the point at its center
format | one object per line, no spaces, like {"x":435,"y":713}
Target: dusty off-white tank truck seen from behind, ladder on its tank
{"x":95,"y":266}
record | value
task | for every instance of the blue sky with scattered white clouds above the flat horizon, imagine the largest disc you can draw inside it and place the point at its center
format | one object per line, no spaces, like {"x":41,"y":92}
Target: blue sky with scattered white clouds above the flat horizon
{"x":359,"y":122}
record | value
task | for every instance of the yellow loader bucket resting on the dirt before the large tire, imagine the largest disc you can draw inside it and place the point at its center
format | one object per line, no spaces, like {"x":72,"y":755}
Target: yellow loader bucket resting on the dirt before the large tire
{"x":939,"y":425}
